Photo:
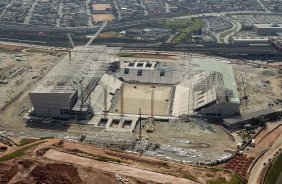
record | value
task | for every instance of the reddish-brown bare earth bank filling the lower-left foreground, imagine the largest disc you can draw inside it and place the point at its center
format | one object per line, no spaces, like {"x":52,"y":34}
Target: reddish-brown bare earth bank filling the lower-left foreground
{"x":67,"y":162}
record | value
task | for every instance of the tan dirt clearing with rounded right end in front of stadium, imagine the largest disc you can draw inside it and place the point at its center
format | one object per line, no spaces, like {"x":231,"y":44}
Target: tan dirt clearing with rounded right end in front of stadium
{"x":191,"y":136}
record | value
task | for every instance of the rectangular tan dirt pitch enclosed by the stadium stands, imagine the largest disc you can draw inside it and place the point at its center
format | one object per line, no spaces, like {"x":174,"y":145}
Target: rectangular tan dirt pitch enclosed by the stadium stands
{"x":139,"y":96}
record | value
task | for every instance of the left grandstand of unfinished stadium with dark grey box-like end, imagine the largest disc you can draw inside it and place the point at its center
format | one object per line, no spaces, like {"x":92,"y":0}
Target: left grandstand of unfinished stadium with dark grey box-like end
{"x":65,"y":91}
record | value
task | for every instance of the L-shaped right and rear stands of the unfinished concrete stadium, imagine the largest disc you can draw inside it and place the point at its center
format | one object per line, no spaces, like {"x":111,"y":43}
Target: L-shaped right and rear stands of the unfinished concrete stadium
{"x":201,"y":86}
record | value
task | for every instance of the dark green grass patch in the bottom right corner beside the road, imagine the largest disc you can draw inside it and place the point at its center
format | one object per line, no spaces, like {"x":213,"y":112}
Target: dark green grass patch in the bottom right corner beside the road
{"x":274,"y":171}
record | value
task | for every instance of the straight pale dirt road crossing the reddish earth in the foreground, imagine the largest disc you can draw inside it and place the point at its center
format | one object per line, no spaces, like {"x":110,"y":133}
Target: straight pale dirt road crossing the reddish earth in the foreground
{"x":115,"y":168}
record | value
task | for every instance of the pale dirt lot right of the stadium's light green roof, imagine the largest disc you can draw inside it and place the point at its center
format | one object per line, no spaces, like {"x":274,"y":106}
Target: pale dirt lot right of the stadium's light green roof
{"x":258,"y":97}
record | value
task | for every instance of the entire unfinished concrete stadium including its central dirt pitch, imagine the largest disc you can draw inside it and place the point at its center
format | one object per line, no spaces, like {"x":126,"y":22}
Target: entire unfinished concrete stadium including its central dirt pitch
{"x":95,"y":81}
